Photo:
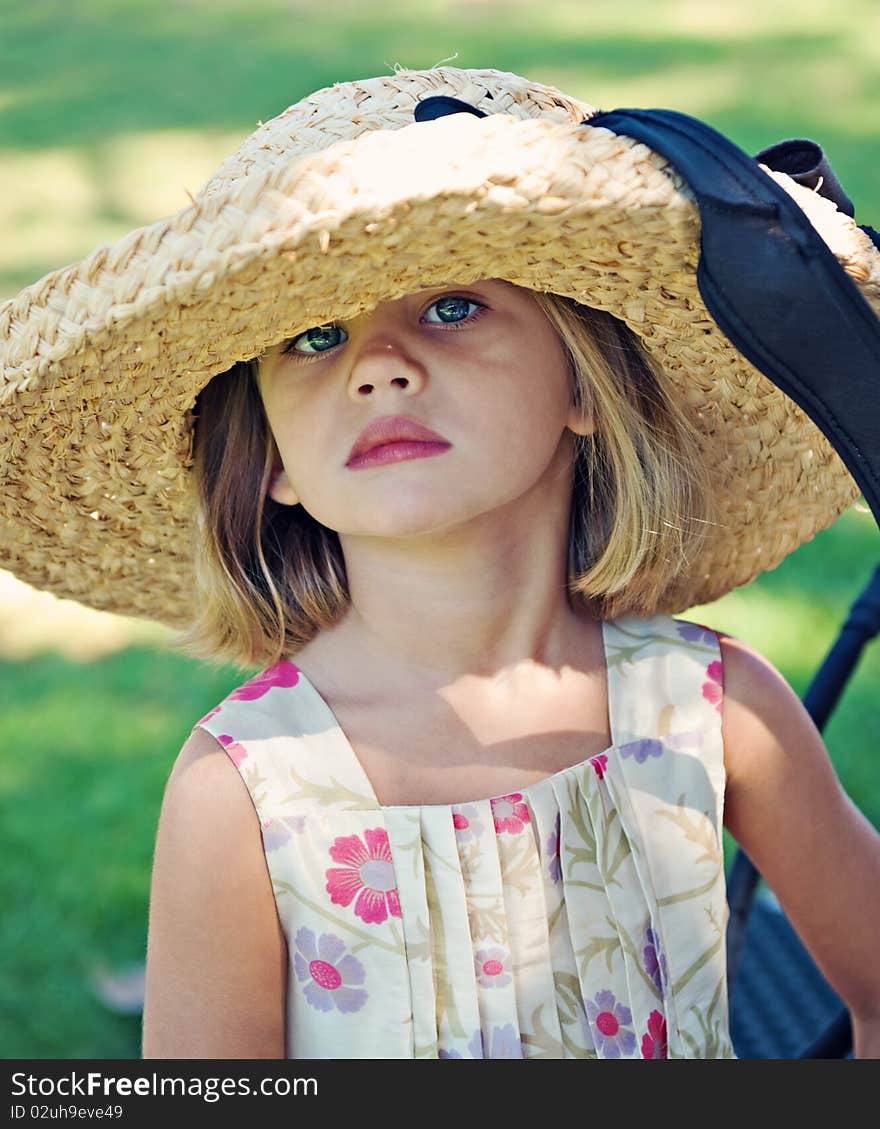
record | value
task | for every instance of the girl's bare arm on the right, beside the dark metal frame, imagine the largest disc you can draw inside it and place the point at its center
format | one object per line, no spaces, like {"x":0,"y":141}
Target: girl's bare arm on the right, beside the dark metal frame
{"x":788,"y":811}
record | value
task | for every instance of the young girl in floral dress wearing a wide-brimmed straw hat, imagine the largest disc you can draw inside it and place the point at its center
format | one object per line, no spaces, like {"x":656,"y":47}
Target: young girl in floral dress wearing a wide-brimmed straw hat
{"x":474,"y":443}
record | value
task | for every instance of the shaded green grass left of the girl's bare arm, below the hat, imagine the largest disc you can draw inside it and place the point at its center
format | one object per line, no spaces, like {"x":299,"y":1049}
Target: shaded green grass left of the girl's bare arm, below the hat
{"x":86,"y":752}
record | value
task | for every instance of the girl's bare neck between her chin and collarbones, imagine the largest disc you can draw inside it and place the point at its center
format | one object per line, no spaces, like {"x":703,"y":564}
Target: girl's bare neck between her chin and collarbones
{"x":489,"y":601}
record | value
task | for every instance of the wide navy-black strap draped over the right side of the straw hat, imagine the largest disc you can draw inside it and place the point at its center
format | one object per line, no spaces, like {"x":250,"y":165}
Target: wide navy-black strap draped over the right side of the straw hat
{"x":773,"y":286}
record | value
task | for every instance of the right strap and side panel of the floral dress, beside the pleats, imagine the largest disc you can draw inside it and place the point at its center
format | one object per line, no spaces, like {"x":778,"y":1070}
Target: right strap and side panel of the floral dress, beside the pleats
{"x":667,"y":773}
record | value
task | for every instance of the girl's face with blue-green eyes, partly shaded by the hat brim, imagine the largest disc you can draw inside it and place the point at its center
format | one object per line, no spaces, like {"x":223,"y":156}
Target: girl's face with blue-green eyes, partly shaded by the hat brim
{"x":480,"y":366}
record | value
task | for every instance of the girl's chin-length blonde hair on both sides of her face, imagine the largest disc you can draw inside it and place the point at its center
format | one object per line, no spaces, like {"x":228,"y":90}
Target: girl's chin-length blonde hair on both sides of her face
{"x":269,"y":577}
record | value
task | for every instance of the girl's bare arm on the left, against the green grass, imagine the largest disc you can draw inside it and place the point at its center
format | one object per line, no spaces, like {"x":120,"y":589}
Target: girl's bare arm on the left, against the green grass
{"x":216,"y":955}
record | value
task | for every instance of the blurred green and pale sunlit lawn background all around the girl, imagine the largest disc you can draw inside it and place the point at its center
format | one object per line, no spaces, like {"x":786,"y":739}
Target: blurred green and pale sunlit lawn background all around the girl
{"x":111,"y":113}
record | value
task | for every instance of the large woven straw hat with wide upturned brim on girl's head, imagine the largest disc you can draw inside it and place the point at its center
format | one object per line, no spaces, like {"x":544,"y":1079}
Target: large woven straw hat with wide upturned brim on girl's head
{"x":343,"y":202}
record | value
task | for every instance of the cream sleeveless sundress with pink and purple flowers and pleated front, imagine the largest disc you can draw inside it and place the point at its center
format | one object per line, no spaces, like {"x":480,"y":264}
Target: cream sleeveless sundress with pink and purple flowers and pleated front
{"x":581,"y":917}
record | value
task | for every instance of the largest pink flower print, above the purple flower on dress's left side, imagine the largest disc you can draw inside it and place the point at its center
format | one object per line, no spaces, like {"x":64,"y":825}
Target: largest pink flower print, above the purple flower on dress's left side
{"x":367,"y":871}
